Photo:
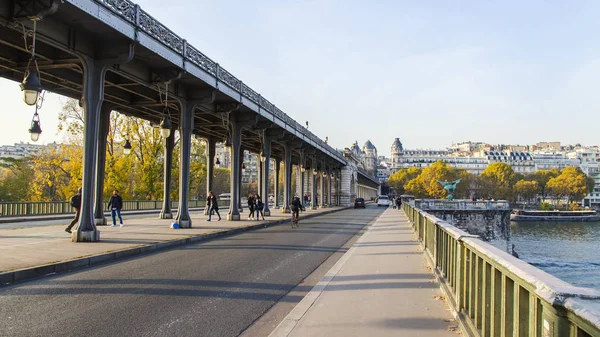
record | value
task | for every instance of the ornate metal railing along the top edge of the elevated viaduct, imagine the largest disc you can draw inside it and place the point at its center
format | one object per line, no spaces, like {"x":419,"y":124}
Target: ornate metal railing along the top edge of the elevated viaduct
{"x":143,"y":21}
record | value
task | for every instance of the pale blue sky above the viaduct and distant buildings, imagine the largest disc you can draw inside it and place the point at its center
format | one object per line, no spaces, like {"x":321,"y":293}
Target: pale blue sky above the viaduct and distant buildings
{"x":428,"y":72}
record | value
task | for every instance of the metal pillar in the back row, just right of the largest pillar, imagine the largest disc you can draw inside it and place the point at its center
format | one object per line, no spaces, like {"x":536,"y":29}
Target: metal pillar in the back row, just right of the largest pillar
{"x":99,"y":218}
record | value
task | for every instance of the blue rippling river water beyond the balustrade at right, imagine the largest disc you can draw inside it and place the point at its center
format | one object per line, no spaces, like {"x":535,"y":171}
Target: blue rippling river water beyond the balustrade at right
{"x":567,"y":250}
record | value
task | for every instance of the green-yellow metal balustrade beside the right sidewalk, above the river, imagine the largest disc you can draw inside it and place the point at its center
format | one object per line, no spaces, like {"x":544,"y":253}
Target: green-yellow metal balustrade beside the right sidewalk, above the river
{"x":495,"y":294}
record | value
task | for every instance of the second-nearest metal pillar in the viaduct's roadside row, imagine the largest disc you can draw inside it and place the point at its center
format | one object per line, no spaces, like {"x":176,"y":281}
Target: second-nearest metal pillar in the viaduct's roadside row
{"x":186,"y":125}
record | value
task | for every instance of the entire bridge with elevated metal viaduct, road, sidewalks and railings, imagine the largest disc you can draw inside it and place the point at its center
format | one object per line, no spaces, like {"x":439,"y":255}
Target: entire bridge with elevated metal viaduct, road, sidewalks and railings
{"x":340,"y":272}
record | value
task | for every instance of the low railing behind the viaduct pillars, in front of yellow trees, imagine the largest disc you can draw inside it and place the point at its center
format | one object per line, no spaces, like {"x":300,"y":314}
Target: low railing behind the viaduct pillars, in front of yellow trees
{"x":30,"y":208}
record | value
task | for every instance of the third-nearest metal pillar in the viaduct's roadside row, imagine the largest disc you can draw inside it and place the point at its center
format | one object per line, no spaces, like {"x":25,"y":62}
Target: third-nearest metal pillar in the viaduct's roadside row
{"x":236,"y":165}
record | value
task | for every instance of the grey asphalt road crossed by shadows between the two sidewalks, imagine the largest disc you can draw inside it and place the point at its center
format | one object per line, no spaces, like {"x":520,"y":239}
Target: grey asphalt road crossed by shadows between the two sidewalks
{"x":215,"y":288}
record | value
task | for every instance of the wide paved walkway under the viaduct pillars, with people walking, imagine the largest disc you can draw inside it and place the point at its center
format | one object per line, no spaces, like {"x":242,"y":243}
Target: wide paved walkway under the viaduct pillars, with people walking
{"x":33,"y":251}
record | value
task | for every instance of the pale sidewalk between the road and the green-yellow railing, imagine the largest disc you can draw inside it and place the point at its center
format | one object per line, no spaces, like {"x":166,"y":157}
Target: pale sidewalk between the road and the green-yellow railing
{"x":380,"y":287}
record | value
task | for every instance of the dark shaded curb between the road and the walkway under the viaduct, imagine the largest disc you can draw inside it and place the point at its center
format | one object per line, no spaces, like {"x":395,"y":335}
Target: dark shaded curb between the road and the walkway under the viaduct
{"x":19,"y":275}
